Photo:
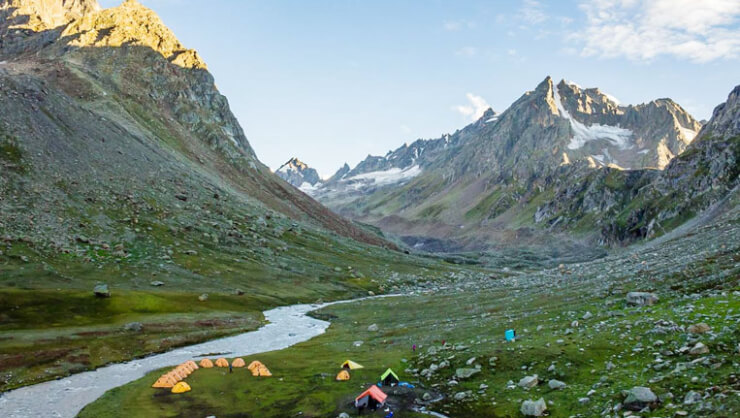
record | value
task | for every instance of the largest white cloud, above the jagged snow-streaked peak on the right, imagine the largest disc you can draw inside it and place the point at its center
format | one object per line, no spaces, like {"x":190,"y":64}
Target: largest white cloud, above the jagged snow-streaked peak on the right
{"x":699,"y":31}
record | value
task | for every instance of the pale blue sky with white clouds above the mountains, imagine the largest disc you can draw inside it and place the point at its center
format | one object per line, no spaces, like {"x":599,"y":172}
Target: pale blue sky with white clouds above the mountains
{"x":331,"y":81}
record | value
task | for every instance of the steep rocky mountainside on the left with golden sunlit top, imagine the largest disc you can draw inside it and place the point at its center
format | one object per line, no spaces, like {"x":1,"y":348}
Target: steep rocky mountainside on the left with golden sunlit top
{"x":117,"y":84}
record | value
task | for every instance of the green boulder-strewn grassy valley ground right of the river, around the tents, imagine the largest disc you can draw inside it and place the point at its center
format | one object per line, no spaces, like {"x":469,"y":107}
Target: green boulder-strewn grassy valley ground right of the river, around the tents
{"x":573,"y":325}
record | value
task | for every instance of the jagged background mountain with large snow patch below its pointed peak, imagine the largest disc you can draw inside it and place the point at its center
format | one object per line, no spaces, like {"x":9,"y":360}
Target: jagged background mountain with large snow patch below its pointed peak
{"x":497,"y":180}
